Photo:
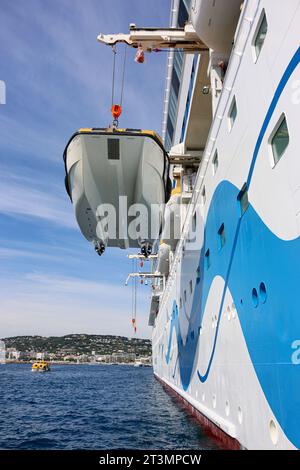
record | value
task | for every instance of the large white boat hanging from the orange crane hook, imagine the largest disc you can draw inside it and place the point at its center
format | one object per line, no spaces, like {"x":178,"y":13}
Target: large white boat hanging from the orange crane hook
{"x":118,"y":182}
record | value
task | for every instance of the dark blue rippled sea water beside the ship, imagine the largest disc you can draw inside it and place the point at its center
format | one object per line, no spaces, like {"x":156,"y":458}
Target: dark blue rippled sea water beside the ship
{"x":92,"y":407}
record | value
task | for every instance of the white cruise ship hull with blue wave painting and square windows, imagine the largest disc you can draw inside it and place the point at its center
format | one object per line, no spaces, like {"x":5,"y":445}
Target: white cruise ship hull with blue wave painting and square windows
{"x":226,"y":336}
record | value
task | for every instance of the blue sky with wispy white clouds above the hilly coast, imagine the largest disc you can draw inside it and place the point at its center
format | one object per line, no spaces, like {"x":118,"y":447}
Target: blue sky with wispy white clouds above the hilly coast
{"x":58,"y":79}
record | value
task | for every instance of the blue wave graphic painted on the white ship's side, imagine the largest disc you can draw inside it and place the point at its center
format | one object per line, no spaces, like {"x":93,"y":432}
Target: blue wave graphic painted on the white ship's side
{"x":252,"y":255}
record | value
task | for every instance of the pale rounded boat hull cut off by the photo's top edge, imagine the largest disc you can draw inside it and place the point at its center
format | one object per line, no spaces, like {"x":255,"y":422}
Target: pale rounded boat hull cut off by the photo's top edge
{"x":215,"y":22}
